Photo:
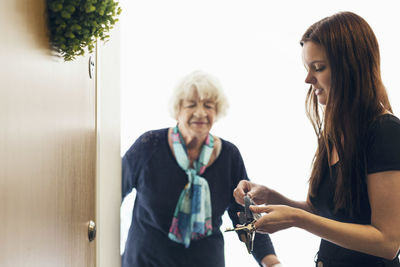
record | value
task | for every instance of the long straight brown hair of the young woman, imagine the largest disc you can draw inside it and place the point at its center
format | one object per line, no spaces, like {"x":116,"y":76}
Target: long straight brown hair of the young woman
{"x":356,"y":97}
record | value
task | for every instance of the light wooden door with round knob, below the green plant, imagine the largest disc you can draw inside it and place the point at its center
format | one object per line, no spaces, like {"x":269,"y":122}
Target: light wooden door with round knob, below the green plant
{"x":47,"y":146}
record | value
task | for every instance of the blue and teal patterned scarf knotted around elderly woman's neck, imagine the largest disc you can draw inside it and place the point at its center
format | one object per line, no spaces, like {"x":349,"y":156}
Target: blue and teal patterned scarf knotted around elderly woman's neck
{"x":192,"y":216}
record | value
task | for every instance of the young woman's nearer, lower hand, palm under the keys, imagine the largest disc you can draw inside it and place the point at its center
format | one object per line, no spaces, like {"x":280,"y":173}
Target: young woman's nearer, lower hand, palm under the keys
{"x":277,"y":217}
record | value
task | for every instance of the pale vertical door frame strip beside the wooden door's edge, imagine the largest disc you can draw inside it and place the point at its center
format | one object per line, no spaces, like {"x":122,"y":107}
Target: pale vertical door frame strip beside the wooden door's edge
{"x":108,"y":161}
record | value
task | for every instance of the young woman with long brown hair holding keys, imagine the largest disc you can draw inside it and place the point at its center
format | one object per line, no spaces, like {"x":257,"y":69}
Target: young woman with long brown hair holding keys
{"x":353,"y":200}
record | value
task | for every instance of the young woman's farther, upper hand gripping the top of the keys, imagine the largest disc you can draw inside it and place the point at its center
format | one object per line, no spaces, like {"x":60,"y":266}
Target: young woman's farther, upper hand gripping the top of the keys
{"x":258,"y":193}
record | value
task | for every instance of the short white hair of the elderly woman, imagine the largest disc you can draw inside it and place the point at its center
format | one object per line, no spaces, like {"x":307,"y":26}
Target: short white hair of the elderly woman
{"x":206,"y":85}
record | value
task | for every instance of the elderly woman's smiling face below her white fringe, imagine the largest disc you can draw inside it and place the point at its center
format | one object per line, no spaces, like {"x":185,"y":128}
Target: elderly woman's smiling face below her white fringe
{"x":196,"y":116}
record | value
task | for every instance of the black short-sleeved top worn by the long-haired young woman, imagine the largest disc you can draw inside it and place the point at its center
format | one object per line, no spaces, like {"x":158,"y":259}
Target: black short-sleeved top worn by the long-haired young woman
{"x":382,"y":154}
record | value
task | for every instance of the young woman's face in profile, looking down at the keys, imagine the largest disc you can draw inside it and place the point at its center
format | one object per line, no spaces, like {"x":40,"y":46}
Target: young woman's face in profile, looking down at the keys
{"x":318,"y":70}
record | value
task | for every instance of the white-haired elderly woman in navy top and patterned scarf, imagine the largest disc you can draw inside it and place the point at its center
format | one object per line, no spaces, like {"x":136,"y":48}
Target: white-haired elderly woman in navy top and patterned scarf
{"x":184,"y":179}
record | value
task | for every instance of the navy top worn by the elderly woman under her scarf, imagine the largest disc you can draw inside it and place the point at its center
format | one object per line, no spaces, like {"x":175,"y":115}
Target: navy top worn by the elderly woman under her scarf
{"x":150,"y":167}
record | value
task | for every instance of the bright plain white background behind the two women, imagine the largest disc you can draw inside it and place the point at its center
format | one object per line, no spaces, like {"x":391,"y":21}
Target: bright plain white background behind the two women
{"x":253,"y":48}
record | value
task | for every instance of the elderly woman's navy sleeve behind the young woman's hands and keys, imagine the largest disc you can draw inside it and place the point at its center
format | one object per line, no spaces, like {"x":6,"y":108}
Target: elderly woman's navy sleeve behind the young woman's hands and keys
{"x":262,"y":243}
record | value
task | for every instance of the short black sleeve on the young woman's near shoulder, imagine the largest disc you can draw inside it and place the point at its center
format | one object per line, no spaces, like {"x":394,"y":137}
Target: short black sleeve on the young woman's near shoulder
{"x":383,"y":147}
